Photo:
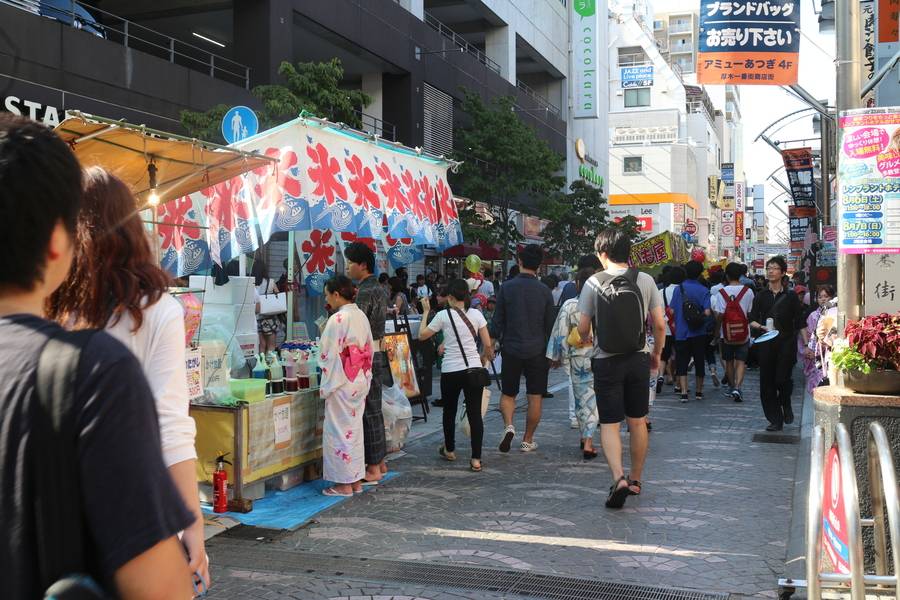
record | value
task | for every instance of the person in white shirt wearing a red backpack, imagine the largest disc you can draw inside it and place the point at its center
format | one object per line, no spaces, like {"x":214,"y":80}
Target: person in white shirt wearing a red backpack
{"x":731,"y":305}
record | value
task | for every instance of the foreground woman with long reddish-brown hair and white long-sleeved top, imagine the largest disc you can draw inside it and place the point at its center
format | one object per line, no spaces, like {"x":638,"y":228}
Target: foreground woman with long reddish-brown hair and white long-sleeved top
{"x":115,"y":284}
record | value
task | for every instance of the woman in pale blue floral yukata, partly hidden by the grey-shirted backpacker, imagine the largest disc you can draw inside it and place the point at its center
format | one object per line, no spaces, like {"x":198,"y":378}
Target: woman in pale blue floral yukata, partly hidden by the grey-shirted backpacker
{"x":566,"y":349}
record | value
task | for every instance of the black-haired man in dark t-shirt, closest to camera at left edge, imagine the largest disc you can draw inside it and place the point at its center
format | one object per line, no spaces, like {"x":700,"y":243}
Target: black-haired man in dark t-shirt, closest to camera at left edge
{"x":130,"y":510}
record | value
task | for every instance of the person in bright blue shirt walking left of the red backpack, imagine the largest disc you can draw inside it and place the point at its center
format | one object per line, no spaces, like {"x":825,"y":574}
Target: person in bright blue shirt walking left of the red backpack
{"x":690,"y":341}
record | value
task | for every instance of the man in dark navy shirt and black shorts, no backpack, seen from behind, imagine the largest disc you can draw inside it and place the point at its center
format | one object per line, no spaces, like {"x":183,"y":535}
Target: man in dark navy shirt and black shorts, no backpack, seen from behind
{"x":523,"y":320}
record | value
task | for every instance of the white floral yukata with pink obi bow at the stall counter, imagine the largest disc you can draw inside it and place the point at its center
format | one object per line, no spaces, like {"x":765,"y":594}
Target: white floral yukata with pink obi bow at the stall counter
{"x":346,"y":359}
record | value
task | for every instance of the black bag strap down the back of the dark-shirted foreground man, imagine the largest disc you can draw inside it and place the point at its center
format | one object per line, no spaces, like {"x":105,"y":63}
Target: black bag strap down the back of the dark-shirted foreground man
{"x":58,"y":512}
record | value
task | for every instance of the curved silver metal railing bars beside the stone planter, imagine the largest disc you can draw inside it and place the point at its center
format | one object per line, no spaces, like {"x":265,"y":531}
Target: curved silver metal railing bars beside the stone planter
{"x":883,"y":491}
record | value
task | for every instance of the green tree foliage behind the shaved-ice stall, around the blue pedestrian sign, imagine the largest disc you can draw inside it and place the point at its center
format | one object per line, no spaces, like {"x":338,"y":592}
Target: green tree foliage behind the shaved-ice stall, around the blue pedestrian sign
{"x":313,"y":87}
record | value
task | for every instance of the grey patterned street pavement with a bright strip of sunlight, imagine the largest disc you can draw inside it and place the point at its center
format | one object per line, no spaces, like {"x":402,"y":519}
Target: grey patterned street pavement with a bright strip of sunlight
{"x":714,"y":515}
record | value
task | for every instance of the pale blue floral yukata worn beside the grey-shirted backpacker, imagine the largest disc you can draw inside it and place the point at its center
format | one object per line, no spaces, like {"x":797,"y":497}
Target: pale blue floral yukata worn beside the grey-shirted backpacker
{"x":577,"y":363}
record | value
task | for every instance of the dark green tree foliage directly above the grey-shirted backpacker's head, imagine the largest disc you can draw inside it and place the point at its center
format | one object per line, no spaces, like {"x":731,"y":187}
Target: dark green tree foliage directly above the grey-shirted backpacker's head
{"x":575,"y":220}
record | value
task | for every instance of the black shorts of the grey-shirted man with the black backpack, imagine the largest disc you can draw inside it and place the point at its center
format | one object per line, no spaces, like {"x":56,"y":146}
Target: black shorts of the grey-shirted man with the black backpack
{"x":621,"y":384}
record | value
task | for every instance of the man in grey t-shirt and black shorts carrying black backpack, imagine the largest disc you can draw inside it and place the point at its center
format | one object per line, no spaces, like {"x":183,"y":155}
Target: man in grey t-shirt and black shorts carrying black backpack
{"x":615,"y":303}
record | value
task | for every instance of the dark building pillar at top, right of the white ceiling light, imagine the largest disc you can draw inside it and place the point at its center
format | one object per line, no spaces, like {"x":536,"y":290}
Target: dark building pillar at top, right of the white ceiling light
{"x":264,"y":38}
